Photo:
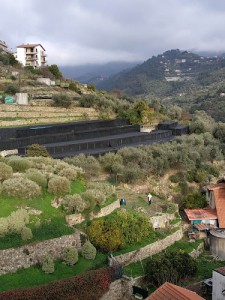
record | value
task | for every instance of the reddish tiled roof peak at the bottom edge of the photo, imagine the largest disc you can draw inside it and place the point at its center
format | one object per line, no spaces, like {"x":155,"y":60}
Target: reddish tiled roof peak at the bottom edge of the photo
{"x":169,"y":291}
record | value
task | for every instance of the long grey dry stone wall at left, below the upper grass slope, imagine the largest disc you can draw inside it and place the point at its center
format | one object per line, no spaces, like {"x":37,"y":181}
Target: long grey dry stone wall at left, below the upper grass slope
{"x":26,"y":256}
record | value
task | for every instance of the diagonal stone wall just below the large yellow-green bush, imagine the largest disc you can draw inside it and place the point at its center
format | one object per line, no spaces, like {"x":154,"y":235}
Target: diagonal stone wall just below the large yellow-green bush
{"x":150,"y":249}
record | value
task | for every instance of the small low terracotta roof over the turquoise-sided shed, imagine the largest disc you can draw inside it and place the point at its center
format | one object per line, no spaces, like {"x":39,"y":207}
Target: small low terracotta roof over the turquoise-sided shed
{"x":201,"y":214}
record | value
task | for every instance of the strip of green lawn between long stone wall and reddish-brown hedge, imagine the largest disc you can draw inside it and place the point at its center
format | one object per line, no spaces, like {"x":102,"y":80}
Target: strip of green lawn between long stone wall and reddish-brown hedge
{"x":34,"y":276}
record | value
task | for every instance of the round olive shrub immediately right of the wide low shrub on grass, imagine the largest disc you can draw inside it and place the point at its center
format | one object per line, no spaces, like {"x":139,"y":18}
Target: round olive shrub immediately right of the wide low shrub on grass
{"x":58,"y":185}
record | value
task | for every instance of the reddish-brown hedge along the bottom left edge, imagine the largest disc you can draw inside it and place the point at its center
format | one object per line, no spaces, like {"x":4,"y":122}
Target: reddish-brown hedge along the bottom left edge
{"x":91,"y":285}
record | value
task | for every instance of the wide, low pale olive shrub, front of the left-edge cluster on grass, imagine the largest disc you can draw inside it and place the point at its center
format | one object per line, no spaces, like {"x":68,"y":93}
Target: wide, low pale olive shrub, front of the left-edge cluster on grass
{"x":21,"y":187}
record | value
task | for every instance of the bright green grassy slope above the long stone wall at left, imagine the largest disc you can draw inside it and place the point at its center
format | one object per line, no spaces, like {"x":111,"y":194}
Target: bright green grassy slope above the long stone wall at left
{"x":52,"y":219}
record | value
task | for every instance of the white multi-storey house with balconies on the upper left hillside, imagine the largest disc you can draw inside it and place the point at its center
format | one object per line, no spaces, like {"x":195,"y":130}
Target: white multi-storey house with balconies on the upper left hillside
{"x":31,"y":55}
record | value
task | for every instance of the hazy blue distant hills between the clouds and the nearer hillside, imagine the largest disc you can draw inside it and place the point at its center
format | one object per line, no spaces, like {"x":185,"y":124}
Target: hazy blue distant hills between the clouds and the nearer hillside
{"x":95,"y":73}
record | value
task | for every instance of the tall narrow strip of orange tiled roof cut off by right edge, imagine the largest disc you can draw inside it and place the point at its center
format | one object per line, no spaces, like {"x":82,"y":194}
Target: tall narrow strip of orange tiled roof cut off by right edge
{"x":219,"y":195}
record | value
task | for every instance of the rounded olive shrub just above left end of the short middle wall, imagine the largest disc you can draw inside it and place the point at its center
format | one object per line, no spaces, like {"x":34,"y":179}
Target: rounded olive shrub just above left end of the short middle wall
{"x":73,"y":203}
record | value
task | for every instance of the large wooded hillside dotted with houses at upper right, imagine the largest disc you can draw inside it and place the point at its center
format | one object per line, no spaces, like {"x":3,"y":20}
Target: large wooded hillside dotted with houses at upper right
{"x":179,"y":77}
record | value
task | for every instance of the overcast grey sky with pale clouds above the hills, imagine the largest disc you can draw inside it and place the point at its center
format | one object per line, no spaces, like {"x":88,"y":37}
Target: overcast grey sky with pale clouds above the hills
{"x":75,"y":32}
